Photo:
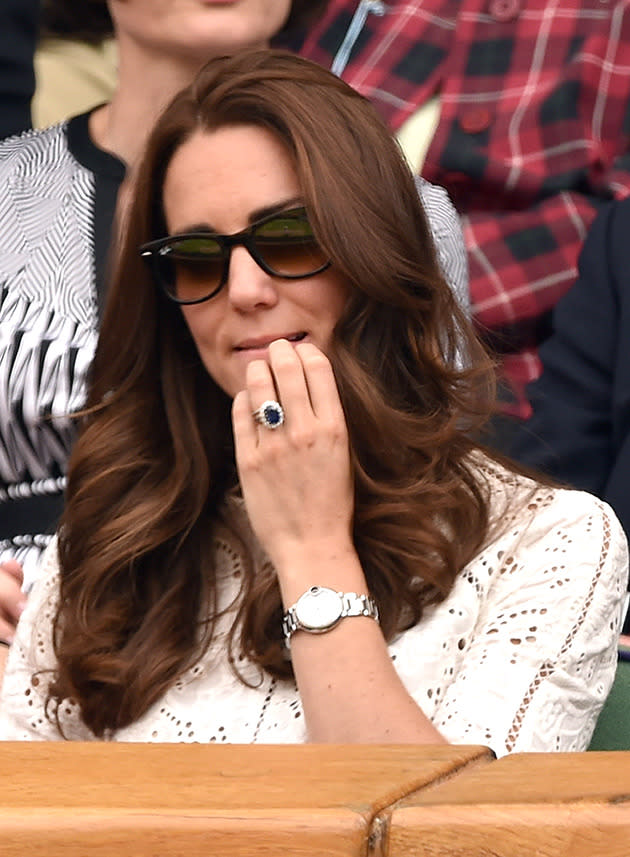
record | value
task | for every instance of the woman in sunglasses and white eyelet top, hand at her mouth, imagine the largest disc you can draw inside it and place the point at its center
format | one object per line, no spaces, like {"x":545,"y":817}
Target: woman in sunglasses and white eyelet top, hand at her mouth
{"x":278,"y":527}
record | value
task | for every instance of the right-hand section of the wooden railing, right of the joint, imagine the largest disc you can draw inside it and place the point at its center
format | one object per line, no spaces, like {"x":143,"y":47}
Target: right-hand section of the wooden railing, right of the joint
{"x":547,"y":805}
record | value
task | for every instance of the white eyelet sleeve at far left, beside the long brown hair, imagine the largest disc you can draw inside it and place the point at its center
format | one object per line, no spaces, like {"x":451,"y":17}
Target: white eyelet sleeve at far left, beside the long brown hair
{"x":30,"y":666}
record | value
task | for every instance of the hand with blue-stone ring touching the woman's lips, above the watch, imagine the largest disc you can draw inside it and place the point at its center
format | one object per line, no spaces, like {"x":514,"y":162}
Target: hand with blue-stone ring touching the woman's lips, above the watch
{"x":296,"y":479}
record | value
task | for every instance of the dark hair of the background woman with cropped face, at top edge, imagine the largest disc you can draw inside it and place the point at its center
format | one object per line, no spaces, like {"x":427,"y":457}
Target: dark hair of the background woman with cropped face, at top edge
{"x":90,"y":21}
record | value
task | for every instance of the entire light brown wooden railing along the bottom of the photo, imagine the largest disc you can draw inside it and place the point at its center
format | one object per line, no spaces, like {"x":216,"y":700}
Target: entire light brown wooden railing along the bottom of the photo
{"x":119,"y":800}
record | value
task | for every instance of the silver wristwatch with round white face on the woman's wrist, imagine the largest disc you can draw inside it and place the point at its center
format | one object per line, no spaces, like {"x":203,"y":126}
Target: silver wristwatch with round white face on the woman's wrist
{"x":321,"y":608}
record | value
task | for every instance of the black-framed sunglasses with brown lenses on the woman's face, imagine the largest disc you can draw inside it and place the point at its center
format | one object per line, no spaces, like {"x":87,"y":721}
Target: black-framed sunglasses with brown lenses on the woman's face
{"x":194,"y":266}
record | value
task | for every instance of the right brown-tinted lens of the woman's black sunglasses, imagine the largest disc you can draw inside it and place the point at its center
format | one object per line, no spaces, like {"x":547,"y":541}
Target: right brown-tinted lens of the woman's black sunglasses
{"x":287,"y":245}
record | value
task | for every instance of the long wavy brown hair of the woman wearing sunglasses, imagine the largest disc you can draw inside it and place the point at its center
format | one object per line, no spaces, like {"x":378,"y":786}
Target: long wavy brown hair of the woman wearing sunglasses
{"x":154,"y":460}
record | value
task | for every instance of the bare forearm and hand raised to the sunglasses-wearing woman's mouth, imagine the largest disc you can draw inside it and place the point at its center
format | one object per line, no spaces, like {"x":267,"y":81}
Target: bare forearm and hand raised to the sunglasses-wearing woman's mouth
{"x":298,"y":487}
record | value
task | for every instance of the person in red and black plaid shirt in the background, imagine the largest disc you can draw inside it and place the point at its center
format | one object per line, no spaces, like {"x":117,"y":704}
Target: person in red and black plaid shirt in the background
{"x":524,"y":110}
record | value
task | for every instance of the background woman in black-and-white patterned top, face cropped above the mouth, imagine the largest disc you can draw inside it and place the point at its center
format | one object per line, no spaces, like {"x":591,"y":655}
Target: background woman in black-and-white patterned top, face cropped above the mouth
{"x":63,"y":187}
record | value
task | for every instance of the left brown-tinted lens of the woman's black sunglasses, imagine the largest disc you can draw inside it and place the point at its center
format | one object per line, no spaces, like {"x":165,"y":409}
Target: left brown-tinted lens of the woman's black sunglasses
{"x":192,"y":268}
